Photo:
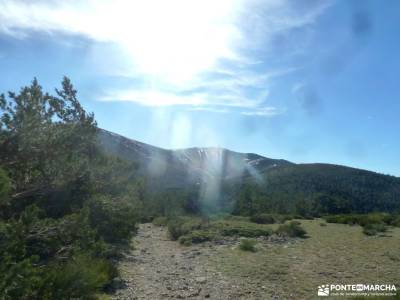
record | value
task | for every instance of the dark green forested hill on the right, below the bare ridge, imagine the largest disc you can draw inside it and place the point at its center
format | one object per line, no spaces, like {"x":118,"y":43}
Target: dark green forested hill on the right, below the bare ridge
{"x":313,"y":190}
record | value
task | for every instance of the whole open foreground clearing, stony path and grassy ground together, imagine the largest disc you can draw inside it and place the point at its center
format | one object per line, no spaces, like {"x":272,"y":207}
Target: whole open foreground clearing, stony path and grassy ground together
{"x":282,"y":268}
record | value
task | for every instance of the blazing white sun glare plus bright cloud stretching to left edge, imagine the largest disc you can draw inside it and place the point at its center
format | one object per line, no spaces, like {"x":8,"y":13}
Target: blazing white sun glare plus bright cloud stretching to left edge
{"x":171,"y":40}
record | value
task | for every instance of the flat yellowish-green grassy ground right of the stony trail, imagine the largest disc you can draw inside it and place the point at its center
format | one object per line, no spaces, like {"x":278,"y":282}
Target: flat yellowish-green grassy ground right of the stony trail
{"x":333,"y":254}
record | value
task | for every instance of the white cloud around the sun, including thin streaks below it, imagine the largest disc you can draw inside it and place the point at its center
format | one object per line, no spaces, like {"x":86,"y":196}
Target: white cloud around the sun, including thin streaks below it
{"x":188,"y":52}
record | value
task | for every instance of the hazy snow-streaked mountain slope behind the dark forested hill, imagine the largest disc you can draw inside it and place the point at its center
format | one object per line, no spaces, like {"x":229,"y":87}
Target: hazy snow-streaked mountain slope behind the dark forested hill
{"x":179,"y":168}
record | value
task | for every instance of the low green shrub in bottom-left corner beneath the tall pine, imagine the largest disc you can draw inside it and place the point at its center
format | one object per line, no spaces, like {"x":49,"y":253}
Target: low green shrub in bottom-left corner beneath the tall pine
{"x":59,"y":259}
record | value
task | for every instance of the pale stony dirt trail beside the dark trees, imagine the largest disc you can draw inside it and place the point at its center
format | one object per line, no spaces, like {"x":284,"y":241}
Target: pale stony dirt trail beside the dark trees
{"x":159,"y":268}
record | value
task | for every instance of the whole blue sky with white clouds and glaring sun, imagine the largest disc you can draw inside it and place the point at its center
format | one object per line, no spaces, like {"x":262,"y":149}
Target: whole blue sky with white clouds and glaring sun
{"x":303,"y":80}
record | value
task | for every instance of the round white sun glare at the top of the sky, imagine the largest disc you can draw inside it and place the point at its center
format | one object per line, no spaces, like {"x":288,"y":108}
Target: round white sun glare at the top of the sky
{"x":173,"y":40}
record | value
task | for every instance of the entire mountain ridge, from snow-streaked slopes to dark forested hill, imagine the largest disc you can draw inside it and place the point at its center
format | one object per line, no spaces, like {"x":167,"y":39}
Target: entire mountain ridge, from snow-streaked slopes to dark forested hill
{"x":221,"y":175}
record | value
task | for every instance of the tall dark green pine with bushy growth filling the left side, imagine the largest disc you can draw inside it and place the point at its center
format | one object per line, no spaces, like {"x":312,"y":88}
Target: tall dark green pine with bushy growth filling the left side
{"x":69,"y":208}
